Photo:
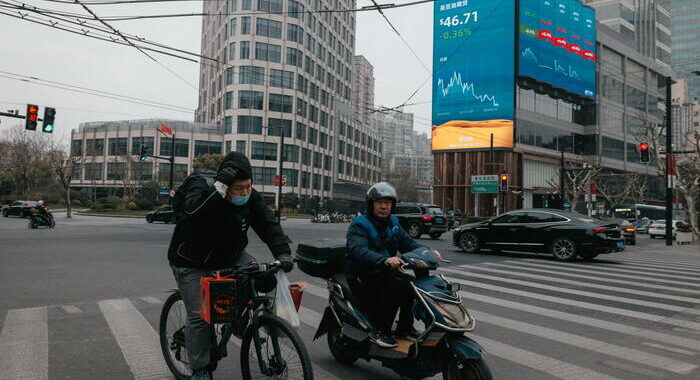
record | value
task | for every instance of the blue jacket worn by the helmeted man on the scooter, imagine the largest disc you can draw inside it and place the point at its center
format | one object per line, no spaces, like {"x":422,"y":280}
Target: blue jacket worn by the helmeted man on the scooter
{"x":367,"y":248}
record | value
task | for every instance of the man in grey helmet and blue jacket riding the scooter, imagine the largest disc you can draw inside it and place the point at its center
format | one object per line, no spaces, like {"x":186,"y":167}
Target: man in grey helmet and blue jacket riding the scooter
{"x":373,"y":242}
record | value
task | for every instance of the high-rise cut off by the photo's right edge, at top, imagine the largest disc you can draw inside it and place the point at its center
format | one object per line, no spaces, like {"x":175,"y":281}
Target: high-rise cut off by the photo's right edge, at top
{"x":686,"y":44}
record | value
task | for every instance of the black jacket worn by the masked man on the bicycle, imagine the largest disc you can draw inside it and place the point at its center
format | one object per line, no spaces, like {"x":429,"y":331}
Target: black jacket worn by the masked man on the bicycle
{"x":214,"y":232}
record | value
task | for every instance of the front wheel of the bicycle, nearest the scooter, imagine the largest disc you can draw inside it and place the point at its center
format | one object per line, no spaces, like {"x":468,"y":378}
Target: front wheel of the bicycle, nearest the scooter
{"x":282,"y":352}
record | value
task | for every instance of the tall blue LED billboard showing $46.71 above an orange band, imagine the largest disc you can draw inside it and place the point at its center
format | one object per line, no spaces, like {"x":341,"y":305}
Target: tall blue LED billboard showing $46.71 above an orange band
{"x":473,"y":74}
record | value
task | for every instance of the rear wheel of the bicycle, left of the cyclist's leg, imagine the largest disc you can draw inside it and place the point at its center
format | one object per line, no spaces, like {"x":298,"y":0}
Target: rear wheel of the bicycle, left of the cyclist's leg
{"x":172,"y":336}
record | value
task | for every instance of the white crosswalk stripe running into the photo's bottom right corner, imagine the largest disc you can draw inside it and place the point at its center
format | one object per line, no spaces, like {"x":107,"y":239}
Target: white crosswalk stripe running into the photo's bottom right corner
{"x":593,"y":345}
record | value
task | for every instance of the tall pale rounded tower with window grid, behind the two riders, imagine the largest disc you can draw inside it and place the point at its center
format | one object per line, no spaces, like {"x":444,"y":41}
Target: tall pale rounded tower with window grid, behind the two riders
{"x":284,"y":70}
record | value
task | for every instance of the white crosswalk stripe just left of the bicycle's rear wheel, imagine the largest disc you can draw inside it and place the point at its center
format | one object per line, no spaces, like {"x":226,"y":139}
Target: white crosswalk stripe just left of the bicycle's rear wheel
{"x":137,"y":339}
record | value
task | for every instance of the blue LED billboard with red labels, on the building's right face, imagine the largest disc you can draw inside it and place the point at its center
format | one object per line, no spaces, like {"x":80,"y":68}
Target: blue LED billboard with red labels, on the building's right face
{"x":557,"y":45}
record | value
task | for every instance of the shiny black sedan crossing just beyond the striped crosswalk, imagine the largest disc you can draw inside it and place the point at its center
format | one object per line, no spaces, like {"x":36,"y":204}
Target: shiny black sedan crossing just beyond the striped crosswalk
{"x":565,"y":235}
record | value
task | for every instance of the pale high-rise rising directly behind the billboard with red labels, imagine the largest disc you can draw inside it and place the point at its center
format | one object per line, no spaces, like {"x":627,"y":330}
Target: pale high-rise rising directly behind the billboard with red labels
{"x":645,"y":24}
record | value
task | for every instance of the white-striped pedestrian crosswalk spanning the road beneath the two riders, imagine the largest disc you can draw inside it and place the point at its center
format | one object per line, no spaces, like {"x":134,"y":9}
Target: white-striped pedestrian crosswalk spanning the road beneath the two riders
{"x":632,"y":318}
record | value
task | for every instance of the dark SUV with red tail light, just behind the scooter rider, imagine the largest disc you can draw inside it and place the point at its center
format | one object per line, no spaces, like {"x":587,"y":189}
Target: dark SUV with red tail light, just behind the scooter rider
{"x":418,"y":219}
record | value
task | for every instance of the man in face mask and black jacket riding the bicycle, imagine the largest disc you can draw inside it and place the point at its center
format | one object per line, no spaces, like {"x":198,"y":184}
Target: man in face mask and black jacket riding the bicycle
{"x":212,"y":235}
